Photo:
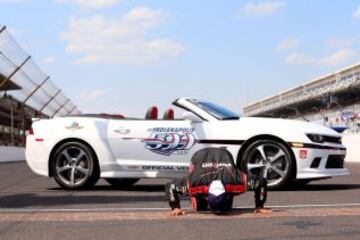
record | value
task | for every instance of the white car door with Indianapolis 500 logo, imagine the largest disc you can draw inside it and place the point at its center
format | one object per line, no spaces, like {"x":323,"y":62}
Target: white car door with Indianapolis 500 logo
{"x":156,"y":145}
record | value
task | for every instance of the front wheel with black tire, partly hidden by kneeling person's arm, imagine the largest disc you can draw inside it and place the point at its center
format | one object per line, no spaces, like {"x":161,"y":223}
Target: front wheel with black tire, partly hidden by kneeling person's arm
{"x":284,"y":164}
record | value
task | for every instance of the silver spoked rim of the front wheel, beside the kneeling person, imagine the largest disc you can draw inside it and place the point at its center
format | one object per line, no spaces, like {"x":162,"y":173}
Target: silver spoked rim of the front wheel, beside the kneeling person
{"x":272,"y":159}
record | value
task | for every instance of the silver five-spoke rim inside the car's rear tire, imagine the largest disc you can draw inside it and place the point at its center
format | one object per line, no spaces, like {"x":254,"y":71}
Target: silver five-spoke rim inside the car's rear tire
{"x":73,"y":166}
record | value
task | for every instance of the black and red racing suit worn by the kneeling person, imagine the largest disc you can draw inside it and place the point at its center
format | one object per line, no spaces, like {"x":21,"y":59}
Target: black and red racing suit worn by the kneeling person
{"x":220,"y":168}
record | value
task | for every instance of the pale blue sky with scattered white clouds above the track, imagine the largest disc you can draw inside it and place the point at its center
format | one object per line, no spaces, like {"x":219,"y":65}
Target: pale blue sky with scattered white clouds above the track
{"x":122,"y":56}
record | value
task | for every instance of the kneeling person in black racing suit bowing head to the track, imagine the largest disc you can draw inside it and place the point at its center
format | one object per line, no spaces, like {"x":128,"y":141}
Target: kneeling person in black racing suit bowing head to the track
{"x":213,"y":181}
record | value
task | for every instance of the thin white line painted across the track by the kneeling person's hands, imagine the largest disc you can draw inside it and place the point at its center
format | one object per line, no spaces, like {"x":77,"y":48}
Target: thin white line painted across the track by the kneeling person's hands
{"x":30,"y":210}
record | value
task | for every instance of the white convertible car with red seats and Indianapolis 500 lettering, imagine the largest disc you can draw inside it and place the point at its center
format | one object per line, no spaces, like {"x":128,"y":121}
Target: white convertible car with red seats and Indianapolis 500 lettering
{"x":78,"y":150}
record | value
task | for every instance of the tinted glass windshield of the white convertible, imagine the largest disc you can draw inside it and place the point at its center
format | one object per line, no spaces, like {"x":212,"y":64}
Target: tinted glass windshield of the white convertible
{"x":215,"y":110}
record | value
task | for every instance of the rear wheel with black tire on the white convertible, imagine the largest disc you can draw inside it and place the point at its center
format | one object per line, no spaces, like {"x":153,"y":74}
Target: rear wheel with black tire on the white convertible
{"x":86,"y":172}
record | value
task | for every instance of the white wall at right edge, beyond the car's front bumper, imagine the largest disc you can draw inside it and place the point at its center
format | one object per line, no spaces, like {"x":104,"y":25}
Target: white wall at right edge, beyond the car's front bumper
{"x":352,"y":144}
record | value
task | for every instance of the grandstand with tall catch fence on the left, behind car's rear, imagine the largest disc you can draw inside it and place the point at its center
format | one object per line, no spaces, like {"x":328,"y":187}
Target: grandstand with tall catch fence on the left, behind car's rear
{"x":25,"y":92}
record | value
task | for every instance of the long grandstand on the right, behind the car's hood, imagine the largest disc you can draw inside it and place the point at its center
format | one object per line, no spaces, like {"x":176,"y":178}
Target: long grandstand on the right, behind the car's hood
{"x":332,"y":100}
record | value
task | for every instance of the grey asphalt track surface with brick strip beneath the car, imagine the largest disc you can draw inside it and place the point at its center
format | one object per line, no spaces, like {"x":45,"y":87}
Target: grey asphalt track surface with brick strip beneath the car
{"x":33,"y":207}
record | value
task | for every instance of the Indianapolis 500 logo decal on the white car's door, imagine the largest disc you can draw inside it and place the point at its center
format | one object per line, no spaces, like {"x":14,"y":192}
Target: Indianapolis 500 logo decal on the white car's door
{"x":169,"y":141}
